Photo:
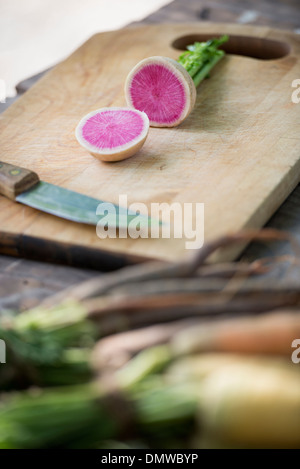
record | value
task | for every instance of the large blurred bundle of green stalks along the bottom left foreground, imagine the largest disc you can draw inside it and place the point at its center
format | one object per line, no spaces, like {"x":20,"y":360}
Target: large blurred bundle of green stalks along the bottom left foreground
{"x":138,"y":404}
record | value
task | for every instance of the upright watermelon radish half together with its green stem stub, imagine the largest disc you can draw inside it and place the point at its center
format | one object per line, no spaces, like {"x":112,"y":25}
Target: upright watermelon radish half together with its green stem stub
{"x":166,"y":89}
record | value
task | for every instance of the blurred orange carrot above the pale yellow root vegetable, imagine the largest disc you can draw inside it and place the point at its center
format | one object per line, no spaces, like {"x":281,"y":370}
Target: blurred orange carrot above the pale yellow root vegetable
{"x":270,"y":333}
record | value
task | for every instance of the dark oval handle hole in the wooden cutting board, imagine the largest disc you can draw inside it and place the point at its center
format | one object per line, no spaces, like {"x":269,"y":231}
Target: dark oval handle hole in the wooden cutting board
{"x":255,"y":47}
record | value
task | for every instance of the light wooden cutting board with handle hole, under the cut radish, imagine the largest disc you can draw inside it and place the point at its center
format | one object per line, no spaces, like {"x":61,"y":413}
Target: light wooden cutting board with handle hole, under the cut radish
{"x":238,"y":152}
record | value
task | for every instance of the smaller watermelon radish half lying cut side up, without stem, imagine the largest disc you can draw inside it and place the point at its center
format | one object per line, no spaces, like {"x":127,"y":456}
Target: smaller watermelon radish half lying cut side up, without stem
{"x":113,"y":134}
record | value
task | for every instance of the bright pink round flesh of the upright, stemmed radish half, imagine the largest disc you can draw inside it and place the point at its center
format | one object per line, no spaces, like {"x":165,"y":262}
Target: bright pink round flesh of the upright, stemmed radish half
{"x":159,"y":93}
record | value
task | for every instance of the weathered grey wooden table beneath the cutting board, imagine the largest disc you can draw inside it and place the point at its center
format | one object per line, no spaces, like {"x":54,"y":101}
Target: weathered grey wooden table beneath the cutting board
{"x":23,"y":282}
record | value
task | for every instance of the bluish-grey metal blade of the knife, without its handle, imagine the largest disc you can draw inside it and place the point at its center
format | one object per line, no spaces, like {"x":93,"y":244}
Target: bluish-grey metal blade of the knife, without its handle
{"x":74,"y":206}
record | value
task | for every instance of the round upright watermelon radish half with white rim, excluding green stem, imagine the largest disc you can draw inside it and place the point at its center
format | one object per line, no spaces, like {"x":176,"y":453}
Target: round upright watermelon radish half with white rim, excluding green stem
{"x":163,"y":89}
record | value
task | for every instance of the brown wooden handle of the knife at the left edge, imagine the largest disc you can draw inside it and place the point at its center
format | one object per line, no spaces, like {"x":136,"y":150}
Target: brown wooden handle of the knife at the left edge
{"x":15,"y":180}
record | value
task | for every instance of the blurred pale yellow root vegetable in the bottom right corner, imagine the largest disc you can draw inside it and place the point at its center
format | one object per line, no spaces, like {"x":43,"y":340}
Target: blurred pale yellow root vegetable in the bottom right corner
{"x":252,"y":406}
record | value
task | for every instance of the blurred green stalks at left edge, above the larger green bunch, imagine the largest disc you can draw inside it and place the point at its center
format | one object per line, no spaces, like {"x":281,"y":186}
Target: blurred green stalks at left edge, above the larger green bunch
{"x":47,"y":347}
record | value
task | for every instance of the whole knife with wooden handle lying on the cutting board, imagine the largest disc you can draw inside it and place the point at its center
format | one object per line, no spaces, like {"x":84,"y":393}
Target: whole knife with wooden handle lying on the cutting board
{"x":24,"y":186}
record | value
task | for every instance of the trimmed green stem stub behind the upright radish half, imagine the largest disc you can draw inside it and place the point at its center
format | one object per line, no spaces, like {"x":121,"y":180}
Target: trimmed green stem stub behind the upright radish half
{"x":201,"y":57}
